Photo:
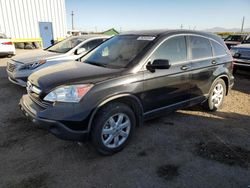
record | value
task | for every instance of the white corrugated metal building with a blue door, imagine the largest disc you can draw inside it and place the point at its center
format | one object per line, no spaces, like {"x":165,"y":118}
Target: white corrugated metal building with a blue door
{"x":41,"y":21}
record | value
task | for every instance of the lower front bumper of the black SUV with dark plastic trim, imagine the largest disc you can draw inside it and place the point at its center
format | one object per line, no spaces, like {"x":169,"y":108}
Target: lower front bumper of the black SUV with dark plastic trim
{"x":31,"y":110}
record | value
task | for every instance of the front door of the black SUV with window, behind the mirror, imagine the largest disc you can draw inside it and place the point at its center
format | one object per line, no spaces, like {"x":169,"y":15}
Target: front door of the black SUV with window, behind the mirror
{"x":167,"y":87}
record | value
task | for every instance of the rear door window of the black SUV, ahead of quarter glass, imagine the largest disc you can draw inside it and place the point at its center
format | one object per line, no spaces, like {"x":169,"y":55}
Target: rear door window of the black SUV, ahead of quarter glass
{"x":200,"y":47}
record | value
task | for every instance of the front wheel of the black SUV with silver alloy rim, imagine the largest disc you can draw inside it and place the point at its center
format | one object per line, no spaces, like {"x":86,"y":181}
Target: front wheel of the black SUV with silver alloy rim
{"x":107,"y":121}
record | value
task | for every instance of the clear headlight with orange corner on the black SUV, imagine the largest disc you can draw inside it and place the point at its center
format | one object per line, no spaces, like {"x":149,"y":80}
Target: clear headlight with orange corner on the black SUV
{"x":72,"y":93}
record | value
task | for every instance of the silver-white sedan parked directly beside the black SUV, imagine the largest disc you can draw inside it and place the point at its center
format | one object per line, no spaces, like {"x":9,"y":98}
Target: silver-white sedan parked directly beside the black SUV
{"x":72,"y":48}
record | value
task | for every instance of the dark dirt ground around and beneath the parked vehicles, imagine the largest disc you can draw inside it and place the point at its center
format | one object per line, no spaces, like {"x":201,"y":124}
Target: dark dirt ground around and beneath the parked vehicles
{"x":187,"y":148}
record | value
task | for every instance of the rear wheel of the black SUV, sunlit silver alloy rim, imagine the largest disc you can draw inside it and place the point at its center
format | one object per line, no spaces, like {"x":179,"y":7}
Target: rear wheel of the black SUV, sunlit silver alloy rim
{"x":215,"y":100}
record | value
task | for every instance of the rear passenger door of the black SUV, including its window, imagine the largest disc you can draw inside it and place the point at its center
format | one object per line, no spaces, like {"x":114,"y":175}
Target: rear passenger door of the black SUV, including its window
{"x":203,"y":65}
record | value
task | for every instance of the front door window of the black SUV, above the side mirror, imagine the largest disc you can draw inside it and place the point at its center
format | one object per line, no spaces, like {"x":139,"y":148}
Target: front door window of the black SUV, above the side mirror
{"x":173,"y":49}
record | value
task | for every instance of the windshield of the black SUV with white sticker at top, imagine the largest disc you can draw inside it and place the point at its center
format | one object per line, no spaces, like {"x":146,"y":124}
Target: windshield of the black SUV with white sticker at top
{"x":119,"y":51}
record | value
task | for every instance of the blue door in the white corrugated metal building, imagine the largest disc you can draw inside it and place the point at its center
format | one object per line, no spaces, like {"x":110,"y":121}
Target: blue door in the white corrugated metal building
{"x":46,"y":33}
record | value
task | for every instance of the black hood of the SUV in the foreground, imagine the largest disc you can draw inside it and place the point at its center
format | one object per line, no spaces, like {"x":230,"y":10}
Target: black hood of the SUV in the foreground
{"x":72,"y":72}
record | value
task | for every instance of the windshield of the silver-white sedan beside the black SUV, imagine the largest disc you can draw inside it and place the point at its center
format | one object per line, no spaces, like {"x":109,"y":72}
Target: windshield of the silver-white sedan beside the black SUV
{"x":65,"y":45}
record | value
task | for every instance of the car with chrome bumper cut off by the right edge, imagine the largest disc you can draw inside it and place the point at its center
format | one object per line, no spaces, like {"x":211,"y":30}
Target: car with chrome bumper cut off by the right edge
{"x":241,"y":55}
